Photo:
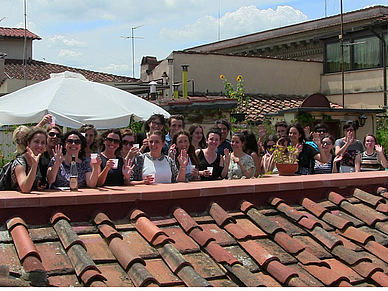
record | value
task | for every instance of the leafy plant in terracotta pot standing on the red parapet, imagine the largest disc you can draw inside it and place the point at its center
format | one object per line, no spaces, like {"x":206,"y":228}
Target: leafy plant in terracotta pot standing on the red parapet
{"x":286,"y":159}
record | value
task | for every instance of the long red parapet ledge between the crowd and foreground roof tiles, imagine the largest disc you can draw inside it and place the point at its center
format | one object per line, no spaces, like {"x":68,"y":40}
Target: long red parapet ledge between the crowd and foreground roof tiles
{"x":162,"y":197}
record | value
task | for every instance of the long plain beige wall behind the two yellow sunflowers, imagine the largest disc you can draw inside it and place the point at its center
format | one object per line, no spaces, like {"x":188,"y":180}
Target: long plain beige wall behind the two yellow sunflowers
{"x":261,"y":75}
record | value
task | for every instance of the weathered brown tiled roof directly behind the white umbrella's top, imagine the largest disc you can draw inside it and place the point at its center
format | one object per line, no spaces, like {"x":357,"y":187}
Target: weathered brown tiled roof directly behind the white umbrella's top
{"x":40,"y":71}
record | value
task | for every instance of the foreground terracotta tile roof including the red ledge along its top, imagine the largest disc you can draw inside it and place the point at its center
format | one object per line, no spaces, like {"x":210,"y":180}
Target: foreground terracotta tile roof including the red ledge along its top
{"x":274,"y":231}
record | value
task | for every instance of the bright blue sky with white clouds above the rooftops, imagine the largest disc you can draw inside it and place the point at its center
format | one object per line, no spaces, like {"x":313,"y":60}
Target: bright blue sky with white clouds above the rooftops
{"x":89,"y":33}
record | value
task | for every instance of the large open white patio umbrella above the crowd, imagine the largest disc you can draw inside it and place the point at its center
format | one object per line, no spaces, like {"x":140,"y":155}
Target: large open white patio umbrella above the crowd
{"x":74,"y":101}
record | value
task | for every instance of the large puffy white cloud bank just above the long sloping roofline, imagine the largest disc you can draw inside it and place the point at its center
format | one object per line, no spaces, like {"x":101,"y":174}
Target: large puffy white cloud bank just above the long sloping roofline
{"x":246,"y":19}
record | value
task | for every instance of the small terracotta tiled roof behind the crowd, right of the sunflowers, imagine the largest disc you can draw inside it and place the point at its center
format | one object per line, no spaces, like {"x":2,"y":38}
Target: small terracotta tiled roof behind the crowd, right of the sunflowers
{"x":262,"y":104}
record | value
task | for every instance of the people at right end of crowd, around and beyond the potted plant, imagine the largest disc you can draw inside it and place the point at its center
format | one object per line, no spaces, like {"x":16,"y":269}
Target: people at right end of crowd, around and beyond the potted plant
{"x":320,"y":153}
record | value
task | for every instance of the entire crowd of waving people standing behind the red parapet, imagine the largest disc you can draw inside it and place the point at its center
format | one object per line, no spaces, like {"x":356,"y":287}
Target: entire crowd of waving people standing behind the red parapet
{"x":121,"y":157}
